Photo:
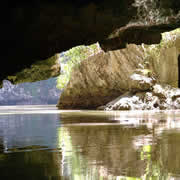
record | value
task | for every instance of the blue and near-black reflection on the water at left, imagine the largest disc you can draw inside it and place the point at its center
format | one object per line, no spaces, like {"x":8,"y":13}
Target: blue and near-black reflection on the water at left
{"x":26,"y":145}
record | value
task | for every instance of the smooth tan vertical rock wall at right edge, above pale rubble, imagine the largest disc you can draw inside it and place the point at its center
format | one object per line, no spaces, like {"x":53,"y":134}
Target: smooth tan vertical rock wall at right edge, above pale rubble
{"x":166,"y":65}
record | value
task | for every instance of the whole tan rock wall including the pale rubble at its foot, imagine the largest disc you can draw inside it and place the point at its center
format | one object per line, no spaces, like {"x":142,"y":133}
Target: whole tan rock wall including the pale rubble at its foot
{"x":136,"y":75}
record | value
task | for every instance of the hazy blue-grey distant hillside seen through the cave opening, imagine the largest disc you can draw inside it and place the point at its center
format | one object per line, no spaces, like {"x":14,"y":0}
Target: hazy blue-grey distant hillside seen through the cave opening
{"x":41,"y":92}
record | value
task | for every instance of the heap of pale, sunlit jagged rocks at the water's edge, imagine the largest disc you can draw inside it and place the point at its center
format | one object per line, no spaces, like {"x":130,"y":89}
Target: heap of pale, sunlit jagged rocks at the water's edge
{"x":159,"y":98}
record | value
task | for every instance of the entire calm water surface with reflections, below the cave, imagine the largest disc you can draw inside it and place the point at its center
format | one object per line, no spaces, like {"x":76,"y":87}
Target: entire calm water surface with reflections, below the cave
{"x":43,"y":143}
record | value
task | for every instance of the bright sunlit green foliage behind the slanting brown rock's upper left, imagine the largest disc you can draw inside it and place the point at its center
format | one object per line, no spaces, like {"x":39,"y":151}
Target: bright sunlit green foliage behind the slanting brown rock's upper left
{"x":72,"y":58}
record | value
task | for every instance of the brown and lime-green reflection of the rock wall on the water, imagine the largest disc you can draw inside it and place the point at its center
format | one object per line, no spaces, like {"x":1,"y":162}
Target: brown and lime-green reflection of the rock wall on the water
{"x":136,"y":146}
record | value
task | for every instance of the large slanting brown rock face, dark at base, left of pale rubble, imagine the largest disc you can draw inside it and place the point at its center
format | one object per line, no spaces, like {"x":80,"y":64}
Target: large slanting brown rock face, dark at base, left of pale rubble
{"x":101,"y":78}
